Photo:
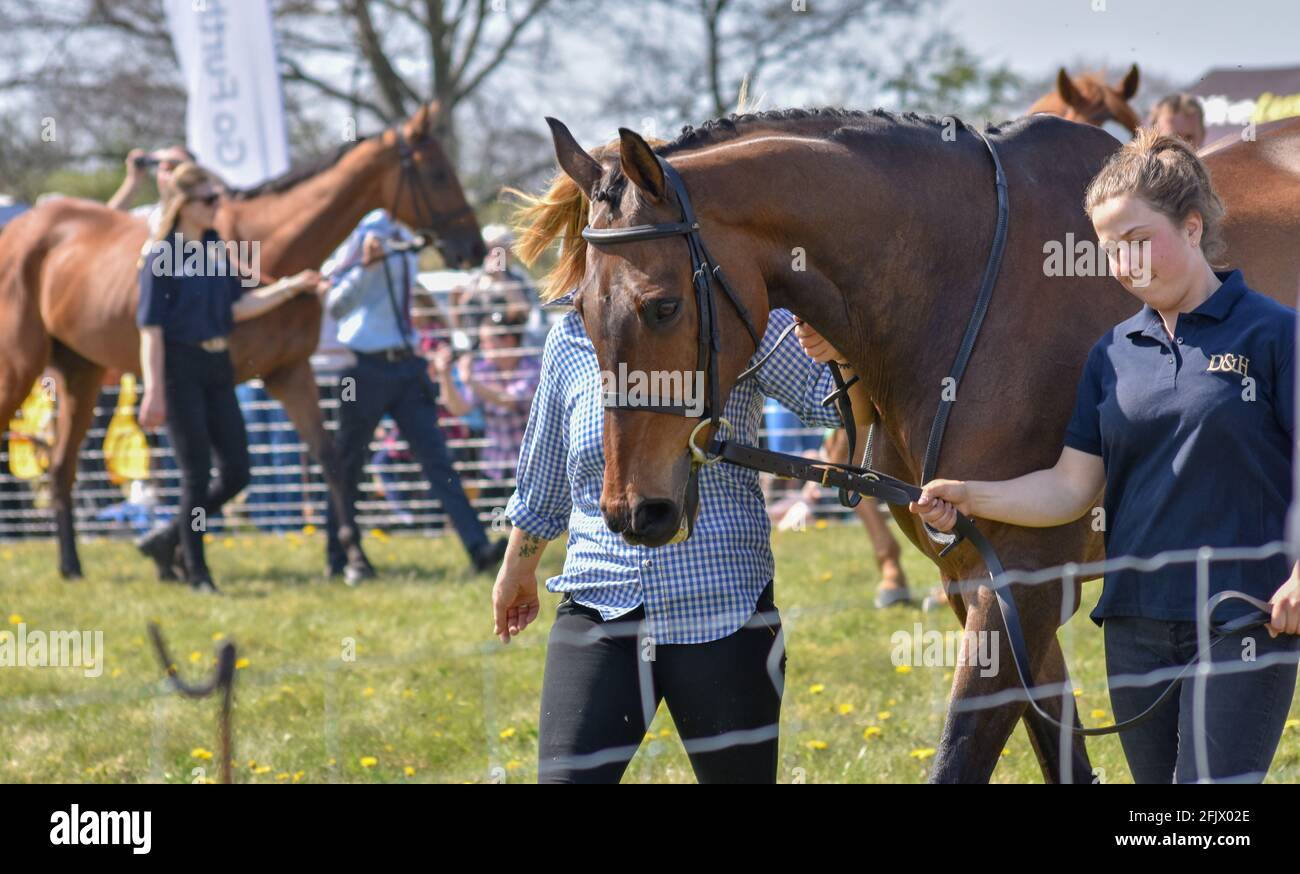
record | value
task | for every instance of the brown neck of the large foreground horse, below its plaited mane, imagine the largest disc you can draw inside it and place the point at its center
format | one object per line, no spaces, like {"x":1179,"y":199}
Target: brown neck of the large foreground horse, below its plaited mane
{"x":894,"y":256}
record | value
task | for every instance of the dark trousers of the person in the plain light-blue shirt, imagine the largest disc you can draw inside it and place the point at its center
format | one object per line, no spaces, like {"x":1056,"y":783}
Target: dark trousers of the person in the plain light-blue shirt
{"x":404,"y":391}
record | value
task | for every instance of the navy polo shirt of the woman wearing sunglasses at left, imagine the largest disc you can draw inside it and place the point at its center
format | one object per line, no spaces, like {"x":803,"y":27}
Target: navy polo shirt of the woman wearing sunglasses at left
{"x":192,"y":304}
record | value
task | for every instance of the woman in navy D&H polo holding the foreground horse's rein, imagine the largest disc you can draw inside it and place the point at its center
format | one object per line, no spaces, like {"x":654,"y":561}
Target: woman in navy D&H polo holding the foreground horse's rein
{"x":1185,"y":414}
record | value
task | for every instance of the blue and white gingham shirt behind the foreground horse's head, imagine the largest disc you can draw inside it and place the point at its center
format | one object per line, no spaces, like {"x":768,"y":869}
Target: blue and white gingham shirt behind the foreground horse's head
{"x":703,"y":589}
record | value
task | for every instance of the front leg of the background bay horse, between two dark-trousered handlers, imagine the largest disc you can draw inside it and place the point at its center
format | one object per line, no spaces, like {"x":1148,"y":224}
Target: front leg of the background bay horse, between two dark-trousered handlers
{"x":296,"y":390}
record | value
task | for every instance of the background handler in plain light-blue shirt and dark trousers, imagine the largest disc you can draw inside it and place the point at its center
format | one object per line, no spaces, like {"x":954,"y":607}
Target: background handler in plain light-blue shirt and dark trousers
{"x":371,"y":300}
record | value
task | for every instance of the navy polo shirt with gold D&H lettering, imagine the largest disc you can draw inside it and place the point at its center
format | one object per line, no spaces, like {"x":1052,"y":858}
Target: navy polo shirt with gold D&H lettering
{"x":1197,"y":436}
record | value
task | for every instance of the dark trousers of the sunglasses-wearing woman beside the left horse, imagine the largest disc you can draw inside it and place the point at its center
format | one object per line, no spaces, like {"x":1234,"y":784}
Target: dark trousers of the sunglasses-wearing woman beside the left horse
{"x":203,"y":421}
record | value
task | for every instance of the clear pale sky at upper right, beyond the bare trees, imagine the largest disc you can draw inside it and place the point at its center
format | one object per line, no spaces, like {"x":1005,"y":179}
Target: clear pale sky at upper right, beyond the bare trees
{"x":1178,"y":38}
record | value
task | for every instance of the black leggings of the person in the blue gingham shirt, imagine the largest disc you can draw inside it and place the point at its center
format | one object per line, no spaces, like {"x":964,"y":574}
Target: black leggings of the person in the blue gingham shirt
{"x":604,"y":683}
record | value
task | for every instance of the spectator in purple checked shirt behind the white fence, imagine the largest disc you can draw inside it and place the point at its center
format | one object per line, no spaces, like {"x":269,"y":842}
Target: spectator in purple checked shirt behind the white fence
{"x":501,"y":380}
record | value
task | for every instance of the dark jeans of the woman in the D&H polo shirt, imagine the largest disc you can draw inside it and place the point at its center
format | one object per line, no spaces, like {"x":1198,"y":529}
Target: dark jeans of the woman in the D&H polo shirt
{"x":1245,"y":711}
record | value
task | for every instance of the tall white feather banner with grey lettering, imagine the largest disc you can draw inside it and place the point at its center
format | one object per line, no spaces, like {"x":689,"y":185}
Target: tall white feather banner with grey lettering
{"x":235,"y":119}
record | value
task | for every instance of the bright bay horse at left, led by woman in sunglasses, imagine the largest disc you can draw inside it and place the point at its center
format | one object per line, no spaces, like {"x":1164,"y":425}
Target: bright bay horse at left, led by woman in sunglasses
{"x":70,"y":291}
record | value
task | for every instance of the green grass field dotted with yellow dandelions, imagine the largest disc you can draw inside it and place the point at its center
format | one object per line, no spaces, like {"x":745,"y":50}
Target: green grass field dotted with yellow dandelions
{"x":431,"y":696}
